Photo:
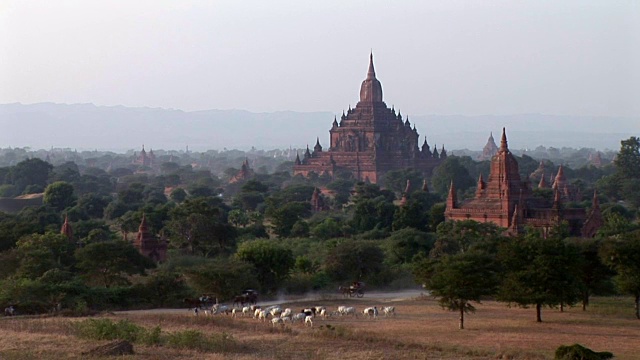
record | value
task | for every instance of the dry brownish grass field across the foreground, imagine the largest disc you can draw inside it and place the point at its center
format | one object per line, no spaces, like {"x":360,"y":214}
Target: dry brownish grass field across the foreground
{"x":420,"y":330}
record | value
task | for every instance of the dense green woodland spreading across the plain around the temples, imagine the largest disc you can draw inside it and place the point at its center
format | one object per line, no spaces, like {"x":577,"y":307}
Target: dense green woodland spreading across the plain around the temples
{"x":225,"y":235}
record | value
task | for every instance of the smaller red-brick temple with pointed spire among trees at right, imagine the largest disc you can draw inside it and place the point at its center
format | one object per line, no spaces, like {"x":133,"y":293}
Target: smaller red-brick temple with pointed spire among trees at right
{"x":507,"y":201}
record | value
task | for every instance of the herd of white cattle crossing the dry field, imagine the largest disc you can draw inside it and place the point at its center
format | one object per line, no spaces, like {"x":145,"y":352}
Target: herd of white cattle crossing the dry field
{"x":279,"y":316}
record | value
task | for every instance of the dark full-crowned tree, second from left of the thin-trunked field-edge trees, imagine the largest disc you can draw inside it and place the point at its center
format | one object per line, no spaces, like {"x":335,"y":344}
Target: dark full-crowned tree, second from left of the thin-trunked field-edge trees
{"x":539,"y":272}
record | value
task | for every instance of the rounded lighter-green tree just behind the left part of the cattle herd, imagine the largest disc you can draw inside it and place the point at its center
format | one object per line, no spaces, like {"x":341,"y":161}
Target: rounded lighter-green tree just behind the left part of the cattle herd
{"x":272,"y":262}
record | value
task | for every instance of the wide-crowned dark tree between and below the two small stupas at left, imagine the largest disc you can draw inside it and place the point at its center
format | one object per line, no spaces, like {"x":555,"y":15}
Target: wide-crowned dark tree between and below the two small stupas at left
{"x":110,"y":262}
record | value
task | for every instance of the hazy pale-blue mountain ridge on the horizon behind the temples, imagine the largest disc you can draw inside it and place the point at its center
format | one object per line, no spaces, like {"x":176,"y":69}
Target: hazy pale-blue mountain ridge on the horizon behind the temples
{"x":119,"y":128}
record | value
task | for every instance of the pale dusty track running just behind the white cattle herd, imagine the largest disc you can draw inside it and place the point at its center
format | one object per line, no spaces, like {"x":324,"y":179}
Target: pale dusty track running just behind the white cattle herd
{"x":374,"y":296}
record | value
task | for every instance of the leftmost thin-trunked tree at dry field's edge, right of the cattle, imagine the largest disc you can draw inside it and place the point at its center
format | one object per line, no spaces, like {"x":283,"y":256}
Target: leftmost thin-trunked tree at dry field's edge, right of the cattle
{"x":459,"y":279}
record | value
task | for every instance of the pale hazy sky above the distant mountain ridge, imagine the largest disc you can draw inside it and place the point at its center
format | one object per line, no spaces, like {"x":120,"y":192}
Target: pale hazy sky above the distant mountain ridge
{"x":432,"y":57}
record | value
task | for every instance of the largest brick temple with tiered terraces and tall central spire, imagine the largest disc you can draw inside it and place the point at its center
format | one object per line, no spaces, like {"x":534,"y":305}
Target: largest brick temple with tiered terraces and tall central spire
{"x":370,"y":140}
